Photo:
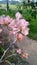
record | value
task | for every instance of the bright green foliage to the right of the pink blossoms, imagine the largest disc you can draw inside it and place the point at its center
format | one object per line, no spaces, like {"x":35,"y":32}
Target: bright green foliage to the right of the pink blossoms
{"x":31,"y":16}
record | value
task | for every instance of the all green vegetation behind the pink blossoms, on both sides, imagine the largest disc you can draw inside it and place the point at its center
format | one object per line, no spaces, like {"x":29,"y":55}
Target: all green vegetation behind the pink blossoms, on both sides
{"x":30,"y":16}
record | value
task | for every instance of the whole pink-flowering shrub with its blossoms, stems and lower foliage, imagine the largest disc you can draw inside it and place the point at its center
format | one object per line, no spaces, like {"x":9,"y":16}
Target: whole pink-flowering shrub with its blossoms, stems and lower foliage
{"x":12,"y":30}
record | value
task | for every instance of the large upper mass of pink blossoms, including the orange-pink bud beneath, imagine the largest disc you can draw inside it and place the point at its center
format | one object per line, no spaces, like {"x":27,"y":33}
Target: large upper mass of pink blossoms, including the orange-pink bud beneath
{"x":16,"y":26}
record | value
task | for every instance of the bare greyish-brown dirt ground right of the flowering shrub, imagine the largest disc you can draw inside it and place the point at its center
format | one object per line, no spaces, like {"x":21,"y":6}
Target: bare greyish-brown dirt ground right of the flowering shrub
{"x":29,"y":46}
